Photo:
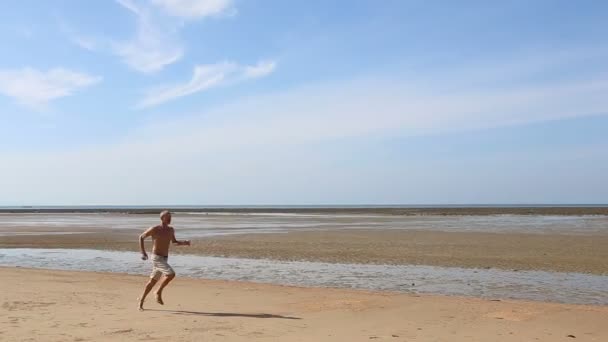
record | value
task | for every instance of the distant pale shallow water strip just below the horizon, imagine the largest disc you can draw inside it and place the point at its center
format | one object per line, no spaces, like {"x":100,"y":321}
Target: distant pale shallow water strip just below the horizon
{"x":193,"y":225}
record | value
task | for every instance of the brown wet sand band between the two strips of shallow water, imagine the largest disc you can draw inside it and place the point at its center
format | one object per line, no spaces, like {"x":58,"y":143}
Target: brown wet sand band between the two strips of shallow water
{"x":512,"y":251}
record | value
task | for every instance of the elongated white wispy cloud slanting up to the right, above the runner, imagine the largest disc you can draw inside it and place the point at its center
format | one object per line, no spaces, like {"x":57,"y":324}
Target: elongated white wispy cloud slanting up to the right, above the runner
{"x":205,"y":77}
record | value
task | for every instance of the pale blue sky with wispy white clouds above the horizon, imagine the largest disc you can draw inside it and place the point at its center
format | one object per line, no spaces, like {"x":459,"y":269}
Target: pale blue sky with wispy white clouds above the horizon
{"x":261,"y":102}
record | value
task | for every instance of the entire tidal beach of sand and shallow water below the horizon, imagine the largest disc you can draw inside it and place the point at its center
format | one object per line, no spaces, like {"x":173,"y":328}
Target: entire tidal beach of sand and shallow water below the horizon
{"x":309,"y":276}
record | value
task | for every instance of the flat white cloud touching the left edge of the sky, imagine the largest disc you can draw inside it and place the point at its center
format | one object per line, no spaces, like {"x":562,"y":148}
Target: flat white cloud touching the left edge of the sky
{"x":34,"y":88}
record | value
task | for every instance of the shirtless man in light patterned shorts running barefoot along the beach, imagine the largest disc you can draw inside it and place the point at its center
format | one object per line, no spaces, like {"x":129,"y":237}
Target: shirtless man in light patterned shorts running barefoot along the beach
{"x":162,"y":235}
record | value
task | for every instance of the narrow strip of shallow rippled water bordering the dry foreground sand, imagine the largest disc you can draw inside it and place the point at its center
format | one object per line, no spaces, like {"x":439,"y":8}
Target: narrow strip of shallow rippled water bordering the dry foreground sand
{"x":573,"y":288}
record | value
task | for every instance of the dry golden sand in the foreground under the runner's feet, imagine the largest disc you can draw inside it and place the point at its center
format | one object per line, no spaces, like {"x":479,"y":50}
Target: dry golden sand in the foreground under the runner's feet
{"x":42,"y":305}
